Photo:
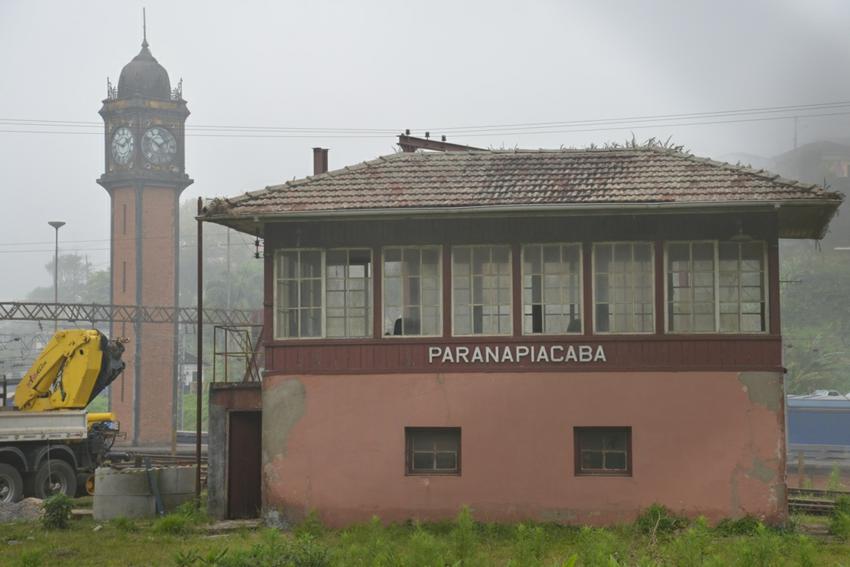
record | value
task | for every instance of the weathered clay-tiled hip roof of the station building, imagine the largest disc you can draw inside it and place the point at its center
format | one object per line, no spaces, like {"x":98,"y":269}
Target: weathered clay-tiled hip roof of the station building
{"x":491,"y":179}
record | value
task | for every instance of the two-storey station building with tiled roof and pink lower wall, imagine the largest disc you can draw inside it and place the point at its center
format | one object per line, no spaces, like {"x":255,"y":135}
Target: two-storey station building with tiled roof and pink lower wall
{"x":565,"y":335}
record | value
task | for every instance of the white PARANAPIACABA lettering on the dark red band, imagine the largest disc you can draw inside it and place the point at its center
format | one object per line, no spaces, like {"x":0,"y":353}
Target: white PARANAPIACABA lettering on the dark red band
{"x":515,"y":354}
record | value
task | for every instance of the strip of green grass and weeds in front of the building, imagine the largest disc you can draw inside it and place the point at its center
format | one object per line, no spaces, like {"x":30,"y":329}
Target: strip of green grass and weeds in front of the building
{"x":181,"y":539}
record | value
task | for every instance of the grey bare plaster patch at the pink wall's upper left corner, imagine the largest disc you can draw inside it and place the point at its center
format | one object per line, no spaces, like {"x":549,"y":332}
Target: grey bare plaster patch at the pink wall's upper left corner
{"x":284,"y":407}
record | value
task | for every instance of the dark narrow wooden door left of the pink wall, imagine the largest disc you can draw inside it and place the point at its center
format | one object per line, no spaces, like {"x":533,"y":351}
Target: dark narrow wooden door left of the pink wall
{"x":243,"y":464}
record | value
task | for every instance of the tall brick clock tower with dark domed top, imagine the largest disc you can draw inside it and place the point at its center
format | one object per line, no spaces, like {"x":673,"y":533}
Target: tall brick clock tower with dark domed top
{"x":144,"y":137}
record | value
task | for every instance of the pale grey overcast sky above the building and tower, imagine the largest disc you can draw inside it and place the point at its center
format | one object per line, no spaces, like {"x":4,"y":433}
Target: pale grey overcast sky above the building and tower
{"x":390,"y":65}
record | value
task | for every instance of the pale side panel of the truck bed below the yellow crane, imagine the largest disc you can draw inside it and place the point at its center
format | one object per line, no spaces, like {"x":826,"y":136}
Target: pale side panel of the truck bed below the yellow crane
{"x":60,"y":425}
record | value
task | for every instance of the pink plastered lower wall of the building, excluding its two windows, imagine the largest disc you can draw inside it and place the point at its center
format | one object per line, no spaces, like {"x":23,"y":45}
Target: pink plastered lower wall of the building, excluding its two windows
{"x":703,"y":443}
